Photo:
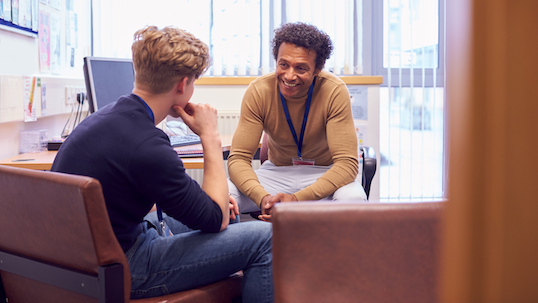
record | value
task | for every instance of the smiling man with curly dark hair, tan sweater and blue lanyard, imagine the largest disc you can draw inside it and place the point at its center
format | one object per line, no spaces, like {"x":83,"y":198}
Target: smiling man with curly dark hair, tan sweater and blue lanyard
{"x":306,"y":114}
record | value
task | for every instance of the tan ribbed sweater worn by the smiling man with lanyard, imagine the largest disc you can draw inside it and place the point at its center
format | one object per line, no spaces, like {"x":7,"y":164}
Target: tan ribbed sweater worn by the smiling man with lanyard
{"x":329,"y":136}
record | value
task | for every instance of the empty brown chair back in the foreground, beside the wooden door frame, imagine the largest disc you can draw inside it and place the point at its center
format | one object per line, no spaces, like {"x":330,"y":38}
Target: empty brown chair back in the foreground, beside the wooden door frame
{"x":356,"y":252}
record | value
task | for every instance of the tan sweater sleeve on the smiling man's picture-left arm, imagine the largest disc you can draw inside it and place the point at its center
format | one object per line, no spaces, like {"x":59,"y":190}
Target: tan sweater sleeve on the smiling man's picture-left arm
{"x":245,"y":142}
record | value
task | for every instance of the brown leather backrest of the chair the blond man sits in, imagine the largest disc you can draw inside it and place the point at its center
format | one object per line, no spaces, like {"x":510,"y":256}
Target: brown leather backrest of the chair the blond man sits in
{"x":57,"y":219}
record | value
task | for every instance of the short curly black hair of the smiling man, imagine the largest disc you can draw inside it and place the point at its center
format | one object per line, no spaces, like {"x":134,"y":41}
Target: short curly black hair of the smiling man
{"x":307,"y":36}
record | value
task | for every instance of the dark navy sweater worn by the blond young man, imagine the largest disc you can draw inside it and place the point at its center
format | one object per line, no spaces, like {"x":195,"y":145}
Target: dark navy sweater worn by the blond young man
{"x":120,"y":146}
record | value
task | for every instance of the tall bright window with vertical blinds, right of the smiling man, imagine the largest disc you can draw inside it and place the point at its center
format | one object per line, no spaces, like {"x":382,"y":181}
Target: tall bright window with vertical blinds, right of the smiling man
{"x":408,"y":51}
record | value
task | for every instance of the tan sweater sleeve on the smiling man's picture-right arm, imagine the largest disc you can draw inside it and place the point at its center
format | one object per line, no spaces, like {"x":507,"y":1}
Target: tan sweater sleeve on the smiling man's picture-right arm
{"x":342,"y":142}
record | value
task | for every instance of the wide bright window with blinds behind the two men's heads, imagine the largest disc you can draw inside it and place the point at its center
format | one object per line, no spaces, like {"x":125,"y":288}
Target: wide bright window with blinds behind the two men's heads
{"x":238,"y":32}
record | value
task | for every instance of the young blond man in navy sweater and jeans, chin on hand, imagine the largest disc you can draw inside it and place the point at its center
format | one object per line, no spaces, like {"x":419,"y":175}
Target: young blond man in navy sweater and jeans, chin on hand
{"x":120,"y":146}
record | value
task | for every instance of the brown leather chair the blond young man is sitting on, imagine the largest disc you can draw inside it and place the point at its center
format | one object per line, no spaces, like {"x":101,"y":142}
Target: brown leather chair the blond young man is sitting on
{"x":57,"y":244}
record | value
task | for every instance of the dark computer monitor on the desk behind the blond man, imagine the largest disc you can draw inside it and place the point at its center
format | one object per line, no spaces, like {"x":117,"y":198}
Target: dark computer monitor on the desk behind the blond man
{"x":106,"y":80}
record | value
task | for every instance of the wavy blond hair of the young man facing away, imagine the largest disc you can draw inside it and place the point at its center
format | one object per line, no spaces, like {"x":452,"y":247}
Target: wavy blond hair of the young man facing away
{"x":161,"y":57}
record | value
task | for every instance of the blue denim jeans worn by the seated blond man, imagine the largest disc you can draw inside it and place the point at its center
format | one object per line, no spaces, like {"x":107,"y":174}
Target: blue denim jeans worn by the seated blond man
{"x":189,"y":259}
